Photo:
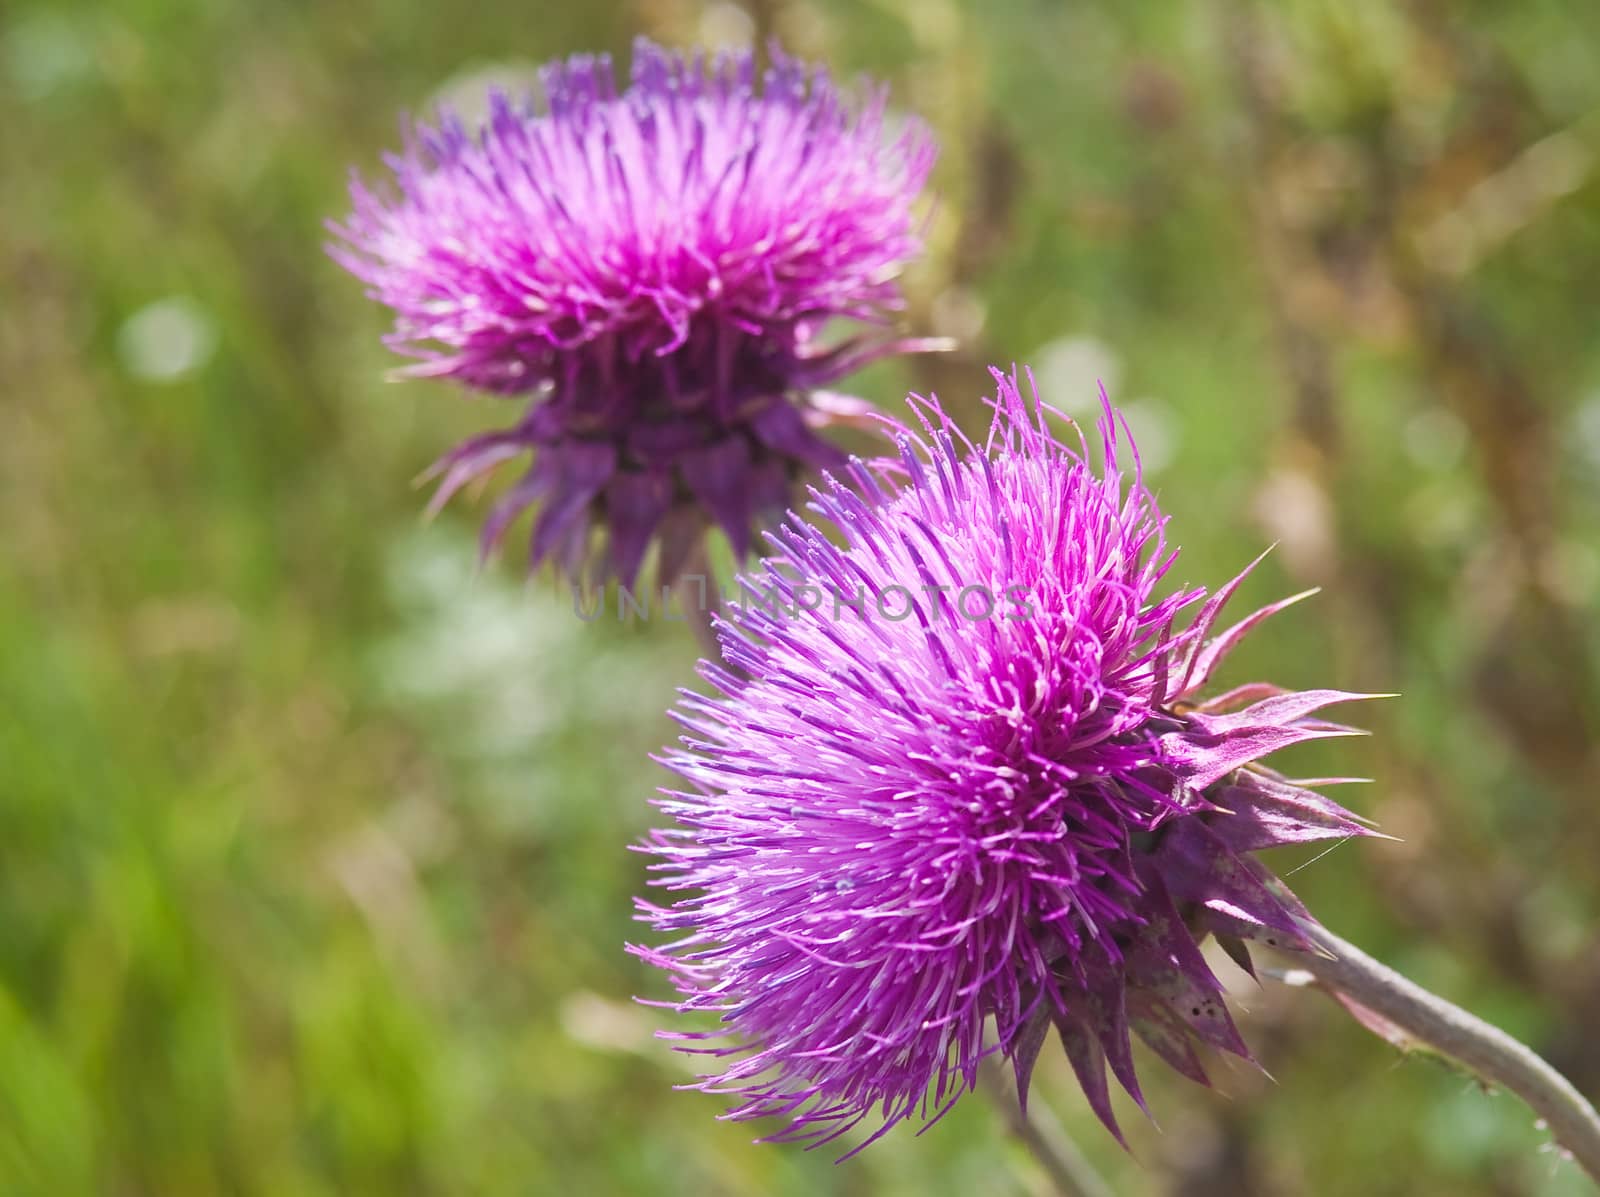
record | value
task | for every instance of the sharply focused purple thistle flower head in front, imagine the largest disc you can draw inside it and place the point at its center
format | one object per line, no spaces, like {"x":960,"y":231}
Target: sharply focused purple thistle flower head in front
{"x":900,"y":830}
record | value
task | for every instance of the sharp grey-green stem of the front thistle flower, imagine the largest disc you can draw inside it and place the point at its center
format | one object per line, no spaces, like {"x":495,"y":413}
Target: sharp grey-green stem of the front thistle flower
{"x":1486,"y":1051}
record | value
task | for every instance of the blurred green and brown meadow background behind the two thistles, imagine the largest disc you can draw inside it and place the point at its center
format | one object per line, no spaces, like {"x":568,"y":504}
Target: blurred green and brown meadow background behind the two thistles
{"x":314,"y":870}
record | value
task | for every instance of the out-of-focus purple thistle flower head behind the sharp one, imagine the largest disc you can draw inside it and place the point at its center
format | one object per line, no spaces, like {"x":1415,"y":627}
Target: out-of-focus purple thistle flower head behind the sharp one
{"x":650,"y":270}
